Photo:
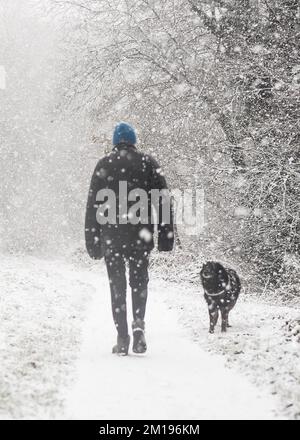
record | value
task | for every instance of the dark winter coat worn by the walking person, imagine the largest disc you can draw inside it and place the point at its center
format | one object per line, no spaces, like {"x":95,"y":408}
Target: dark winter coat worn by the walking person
{"x":140,"y":171}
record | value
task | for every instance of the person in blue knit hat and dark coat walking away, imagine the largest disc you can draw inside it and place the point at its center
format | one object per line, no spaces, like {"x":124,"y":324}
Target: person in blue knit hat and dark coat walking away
{"x":119,"y":241}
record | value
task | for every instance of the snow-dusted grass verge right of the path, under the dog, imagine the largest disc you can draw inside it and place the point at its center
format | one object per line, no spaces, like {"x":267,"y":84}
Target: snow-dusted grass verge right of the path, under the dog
{"x":258,"y":345}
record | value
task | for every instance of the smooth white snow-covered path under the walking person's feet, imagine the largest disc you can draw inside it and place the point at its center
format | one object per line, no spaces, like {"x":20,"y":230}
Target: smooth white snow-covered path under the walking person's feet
{"x":176,"y":380}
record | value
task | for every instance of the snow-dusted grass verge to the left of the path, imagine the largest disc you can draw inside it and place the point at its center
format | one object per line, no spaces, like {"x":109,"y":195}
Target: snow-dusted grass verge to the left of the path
{"x":42,"y":305}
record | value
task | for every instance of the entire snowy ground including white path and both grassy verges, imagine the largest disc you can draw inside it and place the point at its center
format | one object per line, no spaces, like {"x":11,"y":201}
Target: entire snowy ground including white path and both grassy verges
{"x":57,"y":334}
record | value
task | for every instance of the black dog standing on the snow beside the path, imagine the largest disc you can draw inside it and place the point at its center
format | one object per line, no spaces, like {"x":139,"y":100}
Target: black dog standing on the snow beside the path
{"x":222,"y":288}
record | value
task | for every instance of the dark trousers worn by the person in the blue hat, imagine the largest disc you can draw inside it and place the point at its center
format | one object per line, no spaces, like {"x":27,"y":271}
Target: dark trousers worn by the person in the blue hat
{"x":138,"y":280}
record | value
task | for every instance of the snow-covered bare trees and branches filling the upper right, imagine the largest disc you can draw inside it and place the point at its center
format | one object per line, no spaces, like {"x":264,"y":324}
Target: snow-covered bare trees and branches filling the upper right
{"x":206,"y":81}
